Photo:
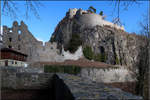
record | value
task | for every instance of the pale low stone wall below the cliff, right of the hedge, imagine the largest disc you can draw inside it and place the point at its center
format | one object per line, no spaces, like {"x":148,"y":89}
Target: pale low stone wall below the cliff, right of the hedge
{"x":108,"y":75}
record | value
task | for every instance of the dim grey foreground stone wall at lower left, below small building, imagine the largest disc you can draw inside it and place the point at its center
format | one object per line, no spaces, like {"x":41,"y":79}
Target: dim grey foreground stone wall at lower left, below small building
{"x":16,"y":78}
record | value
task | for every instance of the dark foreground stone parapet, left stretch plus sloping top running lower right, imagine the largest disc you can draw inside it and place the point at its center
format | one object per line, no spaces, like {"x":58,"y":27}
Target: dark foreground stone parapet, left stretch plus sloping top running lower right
{"x":61,"y":86}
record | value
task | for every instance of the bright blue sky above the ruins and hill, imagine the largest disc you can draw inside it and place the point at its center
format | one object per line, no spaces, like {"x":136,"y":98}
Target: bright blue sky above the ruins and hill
{"x":52,"y":12}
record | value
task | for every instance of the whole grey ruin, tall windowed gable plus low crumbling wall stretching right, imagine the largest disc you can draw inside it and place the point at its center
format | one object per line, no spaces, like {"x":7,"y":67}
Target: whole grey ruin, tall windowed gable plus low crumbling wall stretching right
{"x":19,"y":38}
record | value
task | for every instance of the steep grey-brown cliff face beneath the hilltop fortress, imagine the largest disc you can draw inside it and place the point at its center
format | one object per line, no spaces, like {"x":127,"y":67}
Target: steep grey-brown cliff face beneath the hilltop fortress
{"x":118,"y":46}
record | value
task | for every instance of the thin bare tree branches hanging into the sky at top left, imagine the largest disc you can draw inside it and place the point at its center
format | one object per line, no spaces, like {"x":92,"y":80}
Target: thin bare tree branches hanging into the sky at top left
{"x":11,"y":8}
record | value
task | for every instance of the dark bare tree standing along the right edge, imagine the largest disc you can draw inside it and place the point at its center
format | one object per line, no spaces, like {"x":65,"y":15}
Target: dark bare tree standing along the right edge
{"x":143,"y":65}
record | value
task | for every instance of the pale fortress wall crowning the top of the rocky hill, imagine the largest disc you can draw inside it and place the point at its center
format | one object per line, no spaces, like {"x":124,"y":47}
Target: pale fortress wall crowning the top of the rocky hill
{"x":90,"y":19}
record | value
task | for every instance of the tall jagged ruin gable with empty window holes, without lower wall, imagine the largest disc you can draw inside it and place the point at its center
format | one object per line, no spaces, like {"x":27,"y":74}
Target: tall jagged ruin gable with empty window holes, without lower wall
{"x":20,"y":39}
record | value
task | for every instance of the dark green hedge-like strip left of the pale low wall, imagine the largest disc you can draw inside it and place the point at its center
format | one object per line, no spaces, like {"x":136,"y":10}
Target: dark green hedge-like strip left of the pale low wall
{"x":70,"y":69}
